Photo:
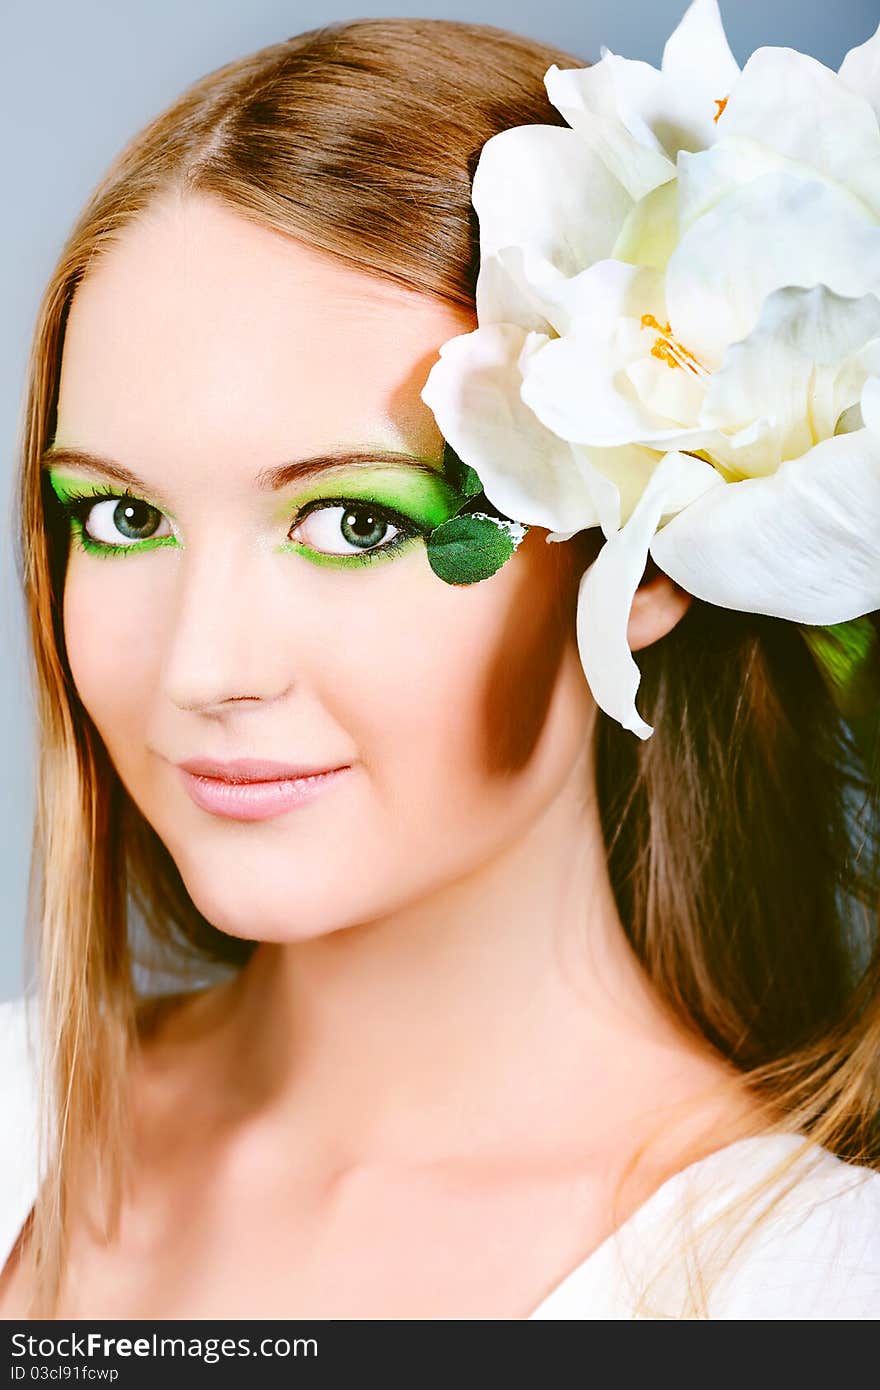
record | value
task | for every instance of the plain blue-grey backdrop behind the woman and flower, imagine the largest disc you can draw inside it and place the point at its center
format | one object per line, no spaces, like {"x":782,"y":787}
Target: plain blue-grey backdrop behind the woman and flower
{"x":80,"y":77}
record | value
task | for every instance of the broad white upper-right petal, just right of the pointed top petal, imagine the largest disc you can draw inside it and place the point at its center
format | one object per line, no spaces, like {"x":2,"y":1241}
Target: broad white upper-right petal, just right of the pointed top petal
{"x":795,"y":105}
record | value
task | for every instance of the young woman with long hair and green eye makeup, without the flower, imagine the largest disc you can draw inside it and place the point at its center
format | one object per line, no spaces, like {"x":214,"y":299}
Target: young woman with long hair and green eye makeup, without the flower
{"x":484,"y":1008}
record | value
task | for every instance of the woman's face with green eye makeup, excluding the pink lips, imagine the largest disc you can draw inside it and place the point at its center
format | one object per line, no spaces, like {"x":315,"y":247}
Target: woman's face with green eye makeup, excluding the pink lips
{"x":236,"y":621}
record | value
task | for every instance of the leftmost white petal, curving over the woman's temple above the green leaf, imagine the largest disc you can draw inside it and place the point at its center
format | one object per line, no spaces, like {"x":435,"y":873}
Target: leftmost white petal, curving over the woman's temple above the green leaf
{"x":526,"y":472}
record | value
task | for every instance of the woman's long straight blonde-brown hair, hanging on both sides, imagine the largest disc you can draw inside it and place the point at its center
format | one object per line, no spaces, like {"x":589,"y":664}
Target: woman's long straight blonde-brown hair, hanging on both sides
{"x":739,"y":867}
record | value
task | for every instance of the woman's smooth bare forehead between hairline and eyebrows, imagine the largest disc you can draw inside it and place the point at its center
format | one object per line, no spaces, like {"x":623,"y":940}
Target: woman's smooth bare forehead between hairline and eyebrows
{"x":204,"y":337}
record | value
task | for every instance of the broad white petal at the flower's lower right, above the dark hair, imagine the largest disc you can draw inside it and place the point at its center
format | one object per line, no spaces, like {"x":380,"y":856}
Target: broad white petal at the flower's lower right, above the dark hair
{"x":803,"y":544}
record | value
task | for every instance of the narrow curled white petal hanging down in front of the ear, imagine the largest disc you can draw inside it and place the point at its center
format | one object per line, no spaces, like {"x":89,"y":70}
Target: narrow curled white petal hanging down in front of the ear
{"x":608,"y":587}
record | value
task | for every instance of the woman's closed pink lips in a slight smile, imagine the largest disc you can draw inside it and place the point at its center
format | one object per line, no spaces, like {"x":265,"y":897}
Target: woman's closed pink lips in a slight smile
{"x":254,"y":790}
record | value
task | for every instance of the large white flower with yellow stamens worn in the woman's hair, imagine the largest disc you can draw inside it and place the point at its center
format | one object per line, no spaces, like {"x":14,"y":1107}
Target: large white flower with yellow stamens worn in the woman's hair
{"x":679,"y":306}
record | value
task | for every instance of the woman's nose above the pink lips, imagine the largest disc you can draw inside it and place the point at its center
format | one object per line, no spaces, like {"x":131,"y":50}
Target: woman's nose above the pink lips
{"x":222,"y":641}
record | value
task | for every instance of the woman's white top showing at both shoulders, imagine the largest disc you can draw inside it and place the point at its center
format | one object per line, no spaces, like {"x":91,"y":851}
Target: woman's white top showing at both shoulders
{"x":815,"y":1257}
